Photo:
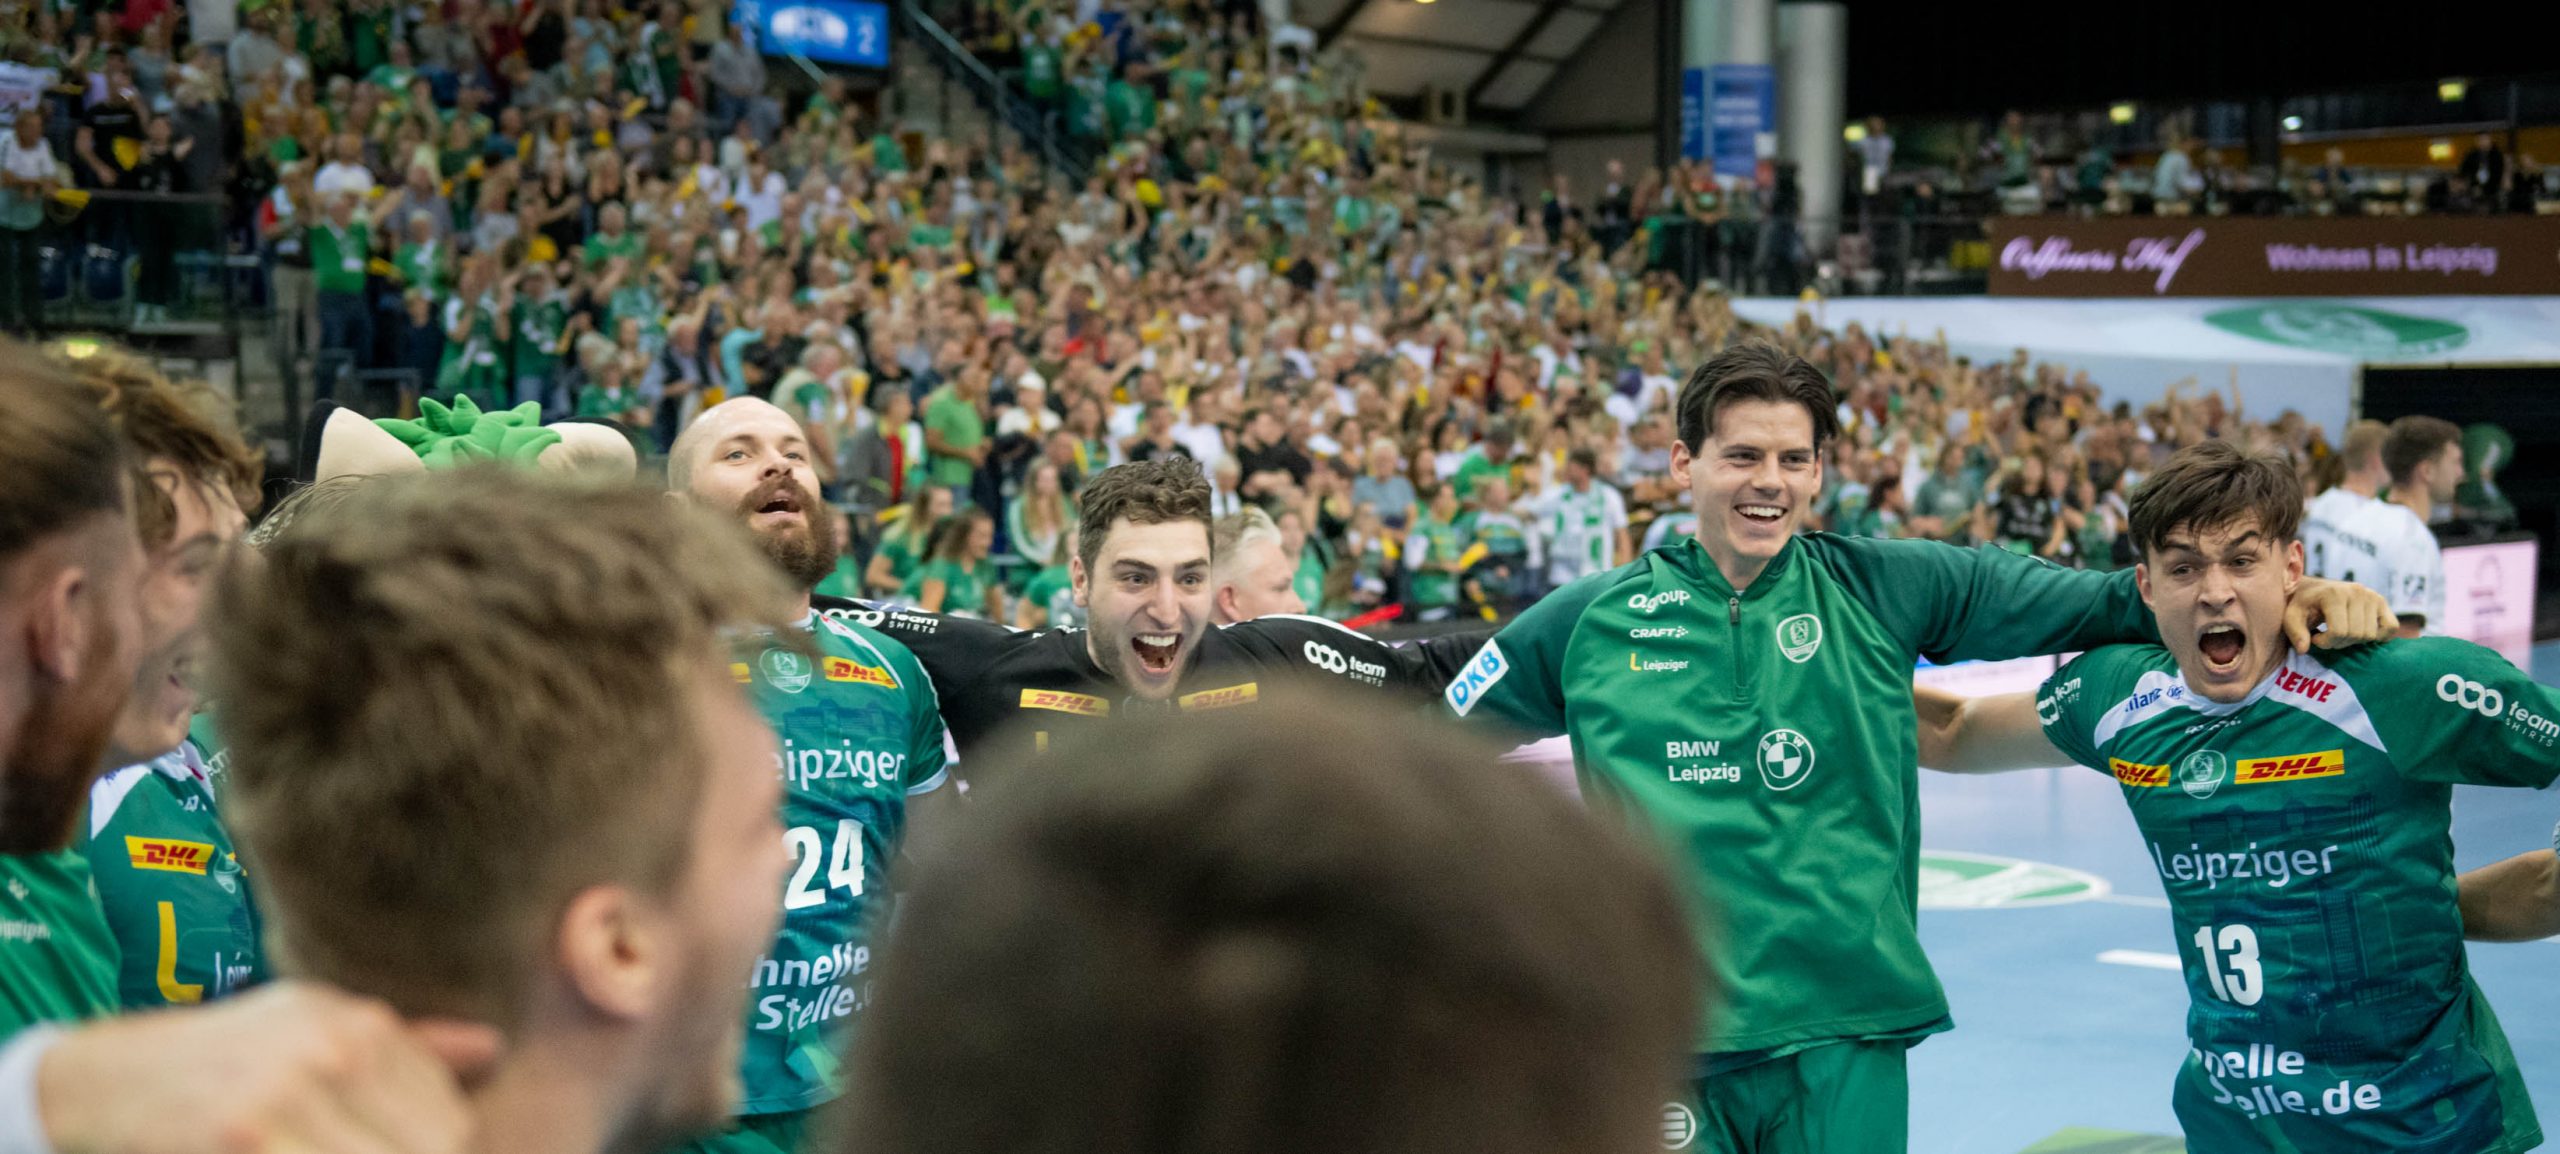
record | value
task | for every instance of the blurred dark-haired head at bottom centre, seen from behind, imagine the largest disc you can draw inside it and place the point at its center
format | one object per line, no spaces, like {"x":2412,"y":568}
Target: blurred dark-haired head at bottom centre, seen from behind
{"x":1294,"y":930}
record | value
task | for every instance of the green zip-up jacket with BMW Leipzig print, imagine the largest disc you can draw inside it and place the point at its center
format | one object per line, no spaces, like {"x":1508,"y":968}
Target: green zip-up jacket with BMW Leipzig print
{"x":1765,"y":738}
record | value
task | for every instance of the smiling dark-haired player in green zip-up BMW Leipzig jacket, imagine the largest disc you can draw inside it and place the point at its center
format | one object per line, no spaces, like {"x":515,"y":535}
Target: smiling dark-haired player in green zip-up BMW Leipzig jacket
{"x":1747,"y":697}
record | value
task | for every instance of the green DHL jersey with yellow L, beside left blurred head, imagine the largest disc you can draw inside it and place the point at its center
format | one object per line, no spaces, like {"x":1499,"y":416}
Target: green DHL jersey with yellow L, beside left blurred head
{"x":170,"y":884}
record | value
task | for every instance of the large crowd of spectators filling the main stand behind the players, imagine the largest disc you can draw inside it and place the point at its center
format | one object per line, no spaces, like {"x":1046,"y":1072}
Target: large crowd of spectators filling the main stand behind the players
{"x":1448,"y":400}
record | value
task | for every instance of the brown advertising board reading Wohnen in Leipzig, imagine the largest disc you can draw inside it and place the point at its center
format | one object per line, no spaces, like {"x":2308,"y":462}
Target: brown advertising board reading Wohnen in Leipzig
{"x":2275,"y":257}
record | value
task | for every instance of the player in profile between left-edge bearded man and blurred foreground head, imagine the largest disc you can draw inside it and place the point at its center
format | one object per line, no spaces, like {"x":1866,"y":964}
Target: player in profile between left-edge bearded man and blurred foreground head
{"x":155,"y":838}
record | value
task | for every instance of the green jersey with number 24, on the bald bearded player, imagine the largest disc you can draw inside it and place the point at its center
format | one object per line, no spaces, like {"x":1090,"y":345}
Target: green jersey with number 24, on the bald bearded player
{"x":861,"y":733}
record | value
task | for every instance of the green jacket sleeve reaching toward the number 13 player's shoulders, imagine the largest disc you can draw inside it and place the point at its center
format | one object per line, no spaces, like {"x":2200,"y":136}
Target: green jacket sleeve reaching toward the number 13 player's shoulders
{"x":1983,"y":603}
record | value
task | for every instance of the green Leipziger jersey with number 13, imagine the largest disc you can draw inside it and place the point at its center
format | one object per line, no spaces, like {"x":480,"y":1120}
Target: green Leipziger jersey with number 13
{"x":2303,"y":841}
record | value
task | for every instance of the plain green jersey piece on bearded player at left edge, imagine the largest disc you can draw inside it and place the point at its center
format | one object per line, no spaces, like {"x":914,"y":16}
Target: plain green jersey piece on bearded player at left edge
{"x":58,"y":956}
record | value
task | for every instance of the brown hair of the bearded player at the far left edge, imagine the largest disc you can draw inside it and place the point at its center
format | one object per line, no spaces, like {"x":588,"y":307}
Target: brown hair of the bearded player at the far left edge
{"x":60,"y":457}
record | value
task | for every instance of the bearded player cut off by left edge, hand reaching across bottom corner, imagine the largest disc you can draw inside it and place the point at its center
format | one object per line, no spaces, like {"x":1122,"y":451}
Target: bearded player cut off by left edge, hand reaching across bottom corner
{"x":285,"y":1068}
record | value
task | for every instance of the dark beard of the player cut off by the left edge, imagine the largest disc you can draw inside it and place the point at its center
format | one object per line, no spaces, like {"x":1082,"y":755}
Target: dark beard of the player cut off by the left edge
{"x":60,"y":751}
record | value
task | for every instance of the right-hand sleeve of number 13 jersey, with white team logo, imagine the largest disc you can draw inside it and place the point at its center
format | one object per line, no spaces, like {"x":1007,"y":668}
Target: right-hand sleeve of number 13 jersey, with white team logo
{"x":2456,"y":713}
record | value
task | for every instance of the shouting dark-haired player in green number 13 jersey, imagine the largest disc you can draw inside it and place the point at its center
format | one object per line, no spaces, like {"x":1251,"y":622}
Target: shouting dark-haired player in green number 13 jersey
{"x":2298,"y":810}
